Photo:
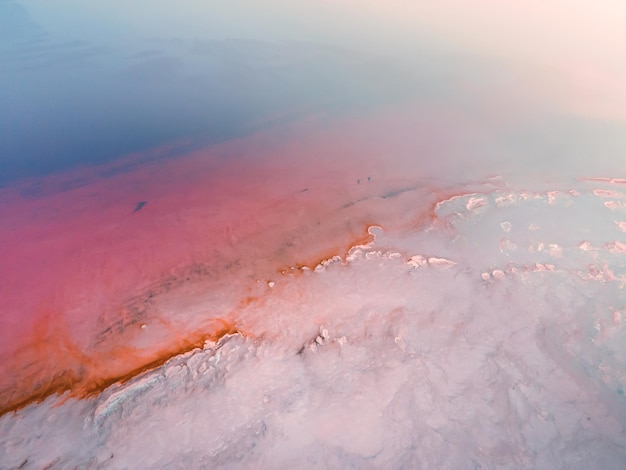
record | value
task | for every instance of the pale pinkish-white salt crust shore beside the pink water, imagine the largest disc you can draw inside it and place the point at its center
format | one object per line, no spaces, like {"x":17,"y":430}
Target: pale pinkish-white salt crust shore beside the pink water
{"x":491,"y":336}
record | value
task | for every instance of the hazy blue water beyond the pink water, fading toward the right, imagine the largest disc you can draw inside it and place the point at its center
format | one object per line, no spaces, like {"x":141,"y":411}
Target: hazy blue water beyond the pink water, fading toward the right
{"x":70,"y":99}
